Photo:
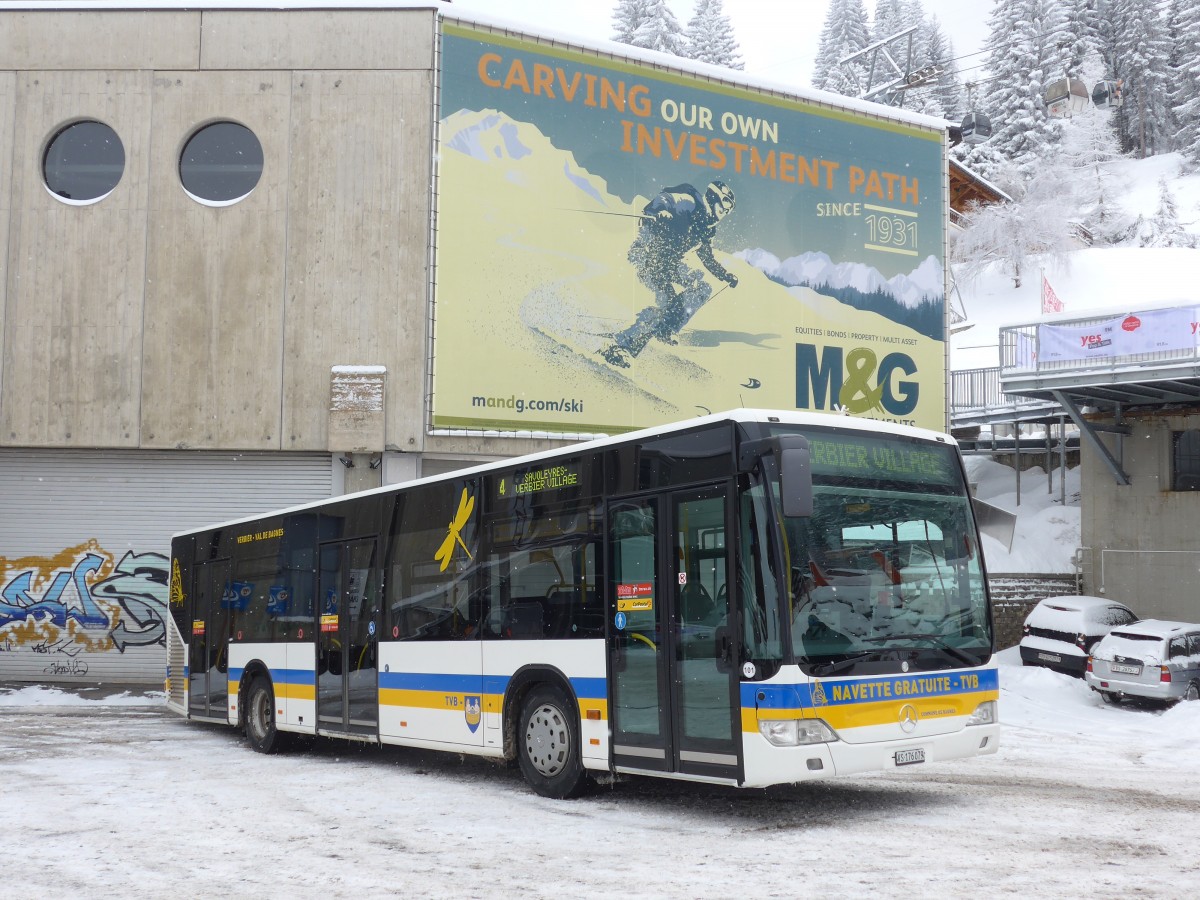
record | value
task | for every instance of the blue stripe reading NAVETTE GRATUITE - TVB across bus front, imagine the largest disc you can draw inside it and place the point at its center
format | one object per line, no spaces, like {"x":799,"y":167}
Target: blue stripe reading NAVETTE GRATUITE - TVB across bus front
{"x":868,"y":691}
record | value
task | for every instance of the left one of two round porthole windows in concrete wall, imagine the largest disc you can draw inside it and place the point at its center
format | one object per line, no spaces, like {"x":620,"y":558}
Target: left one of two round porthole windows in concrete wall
{"x":83,"y":163}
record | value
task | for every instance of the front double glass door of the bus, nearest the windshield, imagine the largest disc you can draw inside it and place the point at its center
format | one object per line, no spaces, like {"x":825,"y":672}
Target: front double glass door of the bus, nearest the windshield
{"x":676,"y":694}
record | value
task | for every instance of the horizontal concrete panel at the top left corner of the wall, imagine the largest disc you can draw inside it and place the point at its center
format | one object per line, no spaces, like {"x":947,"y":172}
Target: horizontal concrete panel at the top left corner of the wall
{"x":100,"y":39}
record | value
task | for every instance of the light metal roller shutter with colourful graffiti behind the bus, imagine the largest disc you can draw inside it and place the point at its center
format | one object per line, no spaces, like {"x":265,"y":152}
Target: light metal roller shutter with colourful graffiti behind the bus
{"x":86,"y":542}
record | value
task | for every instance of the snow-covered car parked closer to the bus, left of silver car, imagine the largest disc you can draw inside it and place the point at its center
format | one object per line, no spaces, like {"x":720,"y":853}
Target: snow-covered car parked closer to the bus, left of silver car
{"x":1060,"y":632}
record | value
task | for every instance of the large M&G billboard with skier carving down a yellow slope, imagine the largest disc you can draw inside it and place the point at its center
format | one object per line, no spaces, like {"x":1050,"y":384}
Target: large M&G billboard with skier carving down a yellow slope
{"x":621,"y":245}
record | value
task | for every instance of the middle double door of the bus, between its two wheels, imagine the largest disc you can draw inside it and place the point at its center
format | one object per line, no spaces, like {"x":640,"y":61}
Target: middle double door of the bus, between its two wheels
{"x":347,"y":645}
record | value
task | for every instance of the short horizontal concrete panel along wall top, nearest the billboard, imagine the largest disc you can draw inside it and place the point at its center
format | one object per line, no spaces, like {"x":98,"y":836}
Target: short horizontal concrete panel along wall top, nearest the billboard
{"x":320,"y":39}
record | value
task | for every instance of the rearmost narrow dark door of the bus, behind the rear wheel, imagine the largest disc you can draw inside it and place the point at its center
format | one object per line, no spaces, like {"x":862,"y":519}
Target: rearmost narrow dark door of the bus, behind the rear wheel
{"x":208,"y":665}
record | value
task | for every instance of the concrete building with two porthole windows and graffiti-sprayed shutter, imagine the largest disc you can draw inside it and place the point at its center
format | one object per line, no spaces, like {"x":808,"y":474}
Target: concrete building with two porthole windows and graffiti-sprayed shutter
{"x":172,"y":359}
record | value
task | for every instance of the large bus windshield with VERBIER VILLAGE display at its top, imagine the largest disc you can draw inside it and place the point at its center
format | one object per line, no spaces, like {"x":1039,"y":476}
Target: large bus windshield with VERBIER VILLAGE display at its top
{"x":887,"y":568}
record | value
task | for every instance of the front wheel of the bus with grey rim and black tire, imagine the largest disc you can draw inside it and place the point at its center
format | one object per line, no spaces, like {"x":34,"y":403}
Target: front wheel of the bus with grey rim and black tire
{"x":549,"y":746}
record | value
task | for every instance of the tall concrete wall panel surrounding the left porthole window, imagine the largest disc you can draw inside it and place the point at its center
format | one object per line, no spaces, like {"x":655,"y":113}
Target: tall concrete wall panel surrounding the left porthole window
{"x":73,"y":338}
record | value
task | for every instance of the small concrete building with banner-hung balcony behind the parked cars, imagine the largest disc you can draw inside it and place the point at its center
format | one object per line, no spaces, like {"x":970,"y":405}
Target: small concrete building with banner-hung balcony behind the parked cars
{"x":1131,"y":383}
